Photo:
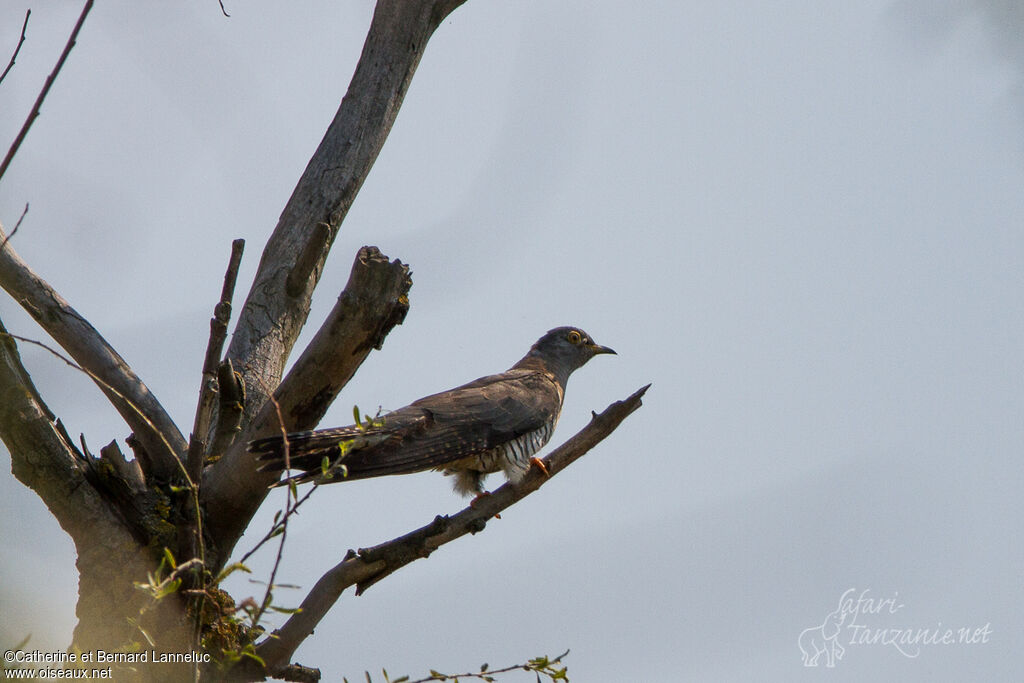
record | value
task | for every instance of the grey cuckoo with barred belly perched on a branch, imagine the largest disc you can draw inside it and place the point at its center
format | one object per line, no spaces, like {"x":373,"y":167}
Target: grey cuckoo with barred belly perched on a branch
{"x":493,"y":424}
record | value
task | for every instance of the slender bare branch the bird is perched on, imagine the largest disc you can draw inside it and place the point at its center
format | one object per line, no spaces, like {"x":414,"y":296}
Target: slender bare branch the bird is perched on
{"x":366,"y":567}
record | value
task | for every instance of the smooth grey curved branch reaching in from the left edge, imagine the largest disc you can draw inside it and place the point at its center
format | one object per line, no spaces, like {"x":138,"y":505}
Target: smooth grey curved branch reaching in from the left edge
{"x":148,"y":419}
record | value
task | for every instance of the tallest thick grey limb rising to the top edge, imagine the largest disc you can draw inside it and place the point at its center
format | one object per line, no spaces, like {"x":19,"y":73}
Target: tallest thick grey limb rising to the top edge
{"x":271,"y":321}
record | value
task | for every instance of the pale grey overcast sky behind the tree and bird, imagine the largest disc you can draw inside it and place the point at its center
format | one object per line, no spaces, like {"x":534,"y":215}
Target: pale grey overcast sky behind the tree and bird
{"x":801,"y":221}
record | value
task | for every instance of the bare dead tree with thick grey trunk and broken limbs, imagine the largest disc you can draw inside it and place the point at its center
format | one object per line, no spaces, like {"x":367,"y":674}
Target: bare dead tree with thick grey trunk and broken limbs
{"x":170,"y":518}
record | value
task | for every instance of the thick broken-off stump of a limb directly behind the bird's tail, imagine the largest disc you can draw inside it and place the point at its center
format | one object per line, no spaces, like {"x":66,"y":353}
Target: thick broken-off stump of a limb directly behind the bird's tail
{"x":374,"y":302}
